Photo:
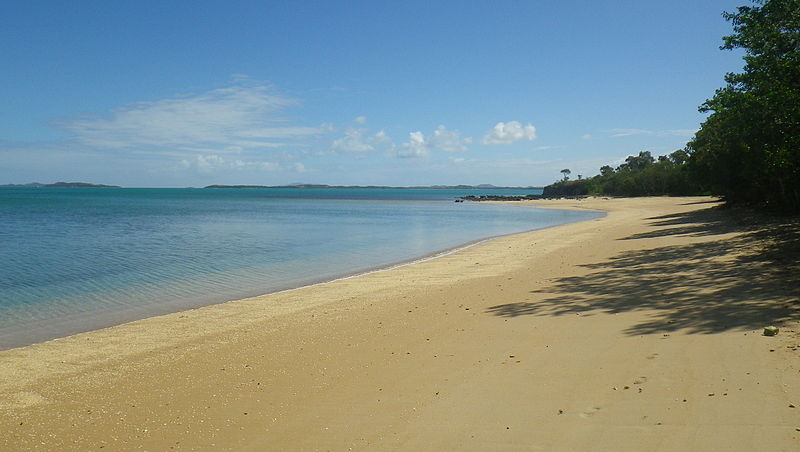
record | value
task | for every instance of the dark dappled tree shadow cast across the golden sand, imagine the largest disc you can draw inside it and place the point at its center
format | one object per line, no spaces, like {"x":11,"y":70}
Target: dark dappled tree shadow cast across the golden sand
{"x":739,"y":281}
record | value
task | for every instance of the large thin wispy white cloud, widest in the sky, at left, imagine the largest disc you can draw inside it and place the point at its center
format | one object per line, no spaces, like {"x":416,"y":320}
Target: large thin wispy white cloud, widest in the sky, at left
{"x":243,"y":116}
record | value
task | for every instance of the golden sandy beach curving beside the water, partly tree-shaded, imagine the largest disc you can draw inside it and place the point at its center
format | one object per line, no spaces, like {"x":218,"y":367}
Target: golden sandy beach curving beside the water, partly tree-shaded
{"x":639,"y":331}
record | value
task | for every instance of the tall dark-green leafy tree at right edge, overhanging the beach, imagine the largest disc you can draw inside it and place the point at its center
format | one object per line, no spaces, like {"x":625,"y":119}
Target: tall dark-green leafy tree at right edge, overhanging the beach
{"x":748,"y":149}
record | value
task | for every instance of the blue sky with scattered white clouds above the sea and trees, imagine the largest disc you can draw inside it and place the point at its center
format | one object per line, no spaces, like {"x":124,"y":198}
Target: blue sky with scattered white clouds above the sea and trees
{"x":179,"y":93}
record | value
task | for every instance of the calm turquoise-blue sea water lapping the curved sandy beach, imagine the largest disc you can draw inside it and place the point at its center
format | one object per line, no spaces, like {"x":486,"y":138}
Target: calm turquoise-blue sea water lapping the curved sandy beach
{"x":76,"y":259}
